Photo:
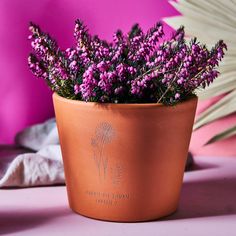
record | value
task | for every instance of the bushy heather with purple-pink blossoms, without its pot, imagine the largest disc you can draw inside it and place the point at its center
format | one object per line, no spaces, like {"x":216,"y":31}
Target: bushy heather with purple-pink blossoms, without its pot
{"x":136,"y":67}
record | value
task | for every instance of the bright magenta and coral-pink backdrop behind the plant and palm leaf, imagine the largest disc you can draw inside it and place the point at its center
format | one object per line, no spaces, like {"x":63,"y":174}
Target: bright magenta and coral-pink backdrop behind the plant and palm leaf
{"x":26,"y":100}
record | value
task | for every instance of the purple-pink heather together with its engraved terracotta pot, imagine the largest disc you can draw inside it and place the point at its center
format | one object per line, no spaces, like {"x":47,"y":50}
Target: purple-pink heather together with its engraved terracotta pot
{"x":125,"y":112}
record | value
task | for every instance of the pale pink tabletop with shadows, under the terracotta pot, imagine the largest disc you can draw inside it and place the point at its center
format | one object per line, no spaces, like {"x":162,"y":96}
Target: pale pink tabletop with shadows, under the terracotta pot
{"x":207,"y":207}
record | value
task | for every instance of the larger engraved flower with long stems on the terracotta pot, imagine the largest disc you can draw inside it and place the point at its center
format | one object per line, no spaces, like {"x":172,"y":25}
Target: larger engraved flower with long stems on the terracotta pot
{"x":104,"y":135}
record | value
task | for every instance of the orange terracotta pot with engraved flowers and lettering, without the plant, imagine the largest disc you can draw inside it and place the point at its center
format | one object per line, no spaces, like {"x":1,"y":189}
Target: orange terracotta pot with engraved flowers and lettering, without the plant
{"x":124,"y":162}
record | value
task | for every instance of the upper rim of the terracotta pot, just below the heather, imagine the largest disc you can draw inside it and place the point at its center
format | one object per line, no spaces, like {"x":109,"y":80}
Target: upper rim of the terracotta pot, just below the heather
{"x":122,"y":105}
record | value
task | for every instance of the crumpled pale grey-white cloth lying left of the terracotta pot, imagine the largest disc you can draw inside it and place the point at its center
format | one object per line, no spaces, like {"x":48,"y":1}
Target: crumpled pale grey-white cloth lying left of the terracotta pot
{"x":36,"y":161}
